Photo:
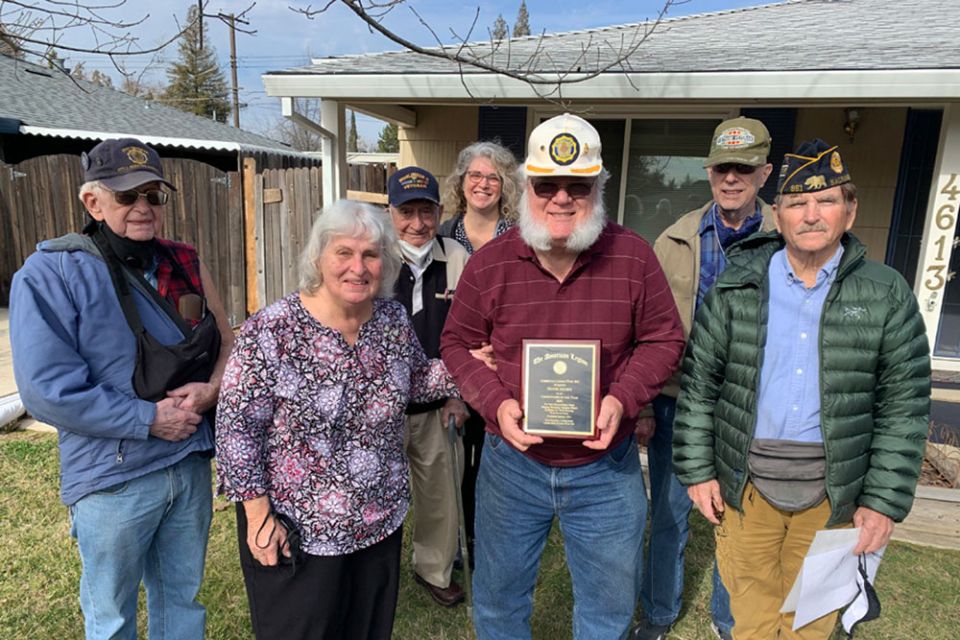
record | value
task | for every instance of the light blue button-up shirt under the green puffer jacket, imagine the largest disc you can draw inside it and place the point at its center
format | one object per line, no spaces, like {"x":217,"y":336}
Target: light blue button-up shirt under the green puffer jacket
{"x":788,"y":406}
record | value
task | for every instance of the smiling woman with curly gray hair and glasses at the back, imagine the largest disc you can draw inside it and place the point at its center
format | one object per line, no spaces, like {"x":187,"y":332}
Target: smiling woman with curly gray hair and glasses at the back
{"x":483,"y":191}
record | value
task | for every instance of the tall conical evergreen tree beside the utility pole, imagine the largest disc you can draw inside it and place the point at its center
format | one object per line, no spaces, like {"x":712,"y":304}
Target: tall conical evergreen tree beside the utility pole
{"x":197,"y":84}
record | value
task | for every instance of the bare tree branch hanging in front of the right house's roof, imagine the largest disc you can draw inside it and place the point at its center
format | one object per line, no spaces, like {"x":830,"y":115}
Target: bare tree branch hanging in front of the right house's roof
{"x":534,"y":67}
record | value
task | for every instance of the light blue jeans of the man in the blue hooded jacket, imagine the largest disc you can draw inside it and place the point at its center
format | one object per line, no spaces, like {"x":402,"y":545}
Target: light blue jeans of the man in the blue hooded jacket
{"x":152,"y":528}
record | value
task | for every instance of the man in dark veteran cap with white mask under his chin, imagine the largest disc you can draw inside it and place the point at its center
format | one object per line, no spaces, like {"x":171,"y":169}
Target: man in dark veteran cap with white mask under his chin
{"x":428,"y":278}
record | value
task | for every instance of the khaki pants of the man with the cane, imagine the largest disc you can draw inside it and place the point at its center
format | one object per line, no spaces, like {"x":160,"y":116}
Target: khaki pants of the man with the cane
{"x":434,"y":499}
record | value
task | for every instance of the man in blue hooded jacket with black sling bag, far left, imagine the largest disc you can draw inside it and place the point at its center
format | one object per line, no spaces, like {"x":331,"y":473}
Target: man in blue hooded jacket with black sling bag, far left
{"x":135,"y":445}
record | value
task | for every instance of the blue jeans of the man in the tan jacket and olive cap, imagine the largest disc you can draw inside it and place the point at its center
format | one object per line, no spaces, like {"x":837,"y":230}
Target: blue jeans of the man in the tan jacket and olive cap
{"x":669,"y":529}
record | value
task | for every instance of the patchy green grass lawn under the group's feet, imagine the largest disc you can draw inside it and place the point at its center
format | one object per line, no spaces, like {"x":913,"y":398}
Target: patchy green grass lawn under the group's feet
{"x":919,"y":587}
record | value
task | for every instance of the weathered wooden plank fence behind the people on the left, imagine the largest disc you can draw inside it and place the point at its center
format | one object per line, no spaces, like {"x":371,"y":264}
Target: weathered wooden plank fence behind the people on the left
{"x":249,"y":228}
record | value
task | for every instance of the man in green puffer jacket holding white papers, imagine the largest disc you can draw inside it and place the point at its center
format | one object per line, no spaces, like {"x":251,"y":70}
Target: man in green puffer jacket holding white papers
{"x":804,"y":398}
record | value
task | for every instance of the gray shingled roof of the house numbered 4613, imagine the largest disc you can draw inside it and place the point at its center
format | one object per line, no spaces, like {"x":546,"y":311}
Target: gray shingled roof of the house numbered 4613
{"x":800,"y":35}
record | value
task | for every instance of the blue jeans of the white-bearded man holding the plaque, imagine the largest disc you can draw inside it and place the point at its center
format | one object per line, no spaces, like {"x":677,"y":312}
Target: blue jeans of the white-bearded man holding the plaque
{"x":601,"y":508}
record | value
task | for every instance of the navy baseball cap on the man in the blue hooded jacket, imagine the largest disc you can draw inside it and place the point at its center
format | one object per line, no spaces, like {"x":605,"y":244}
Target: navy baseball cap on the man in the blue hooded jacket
{"x":122,"y":164}
